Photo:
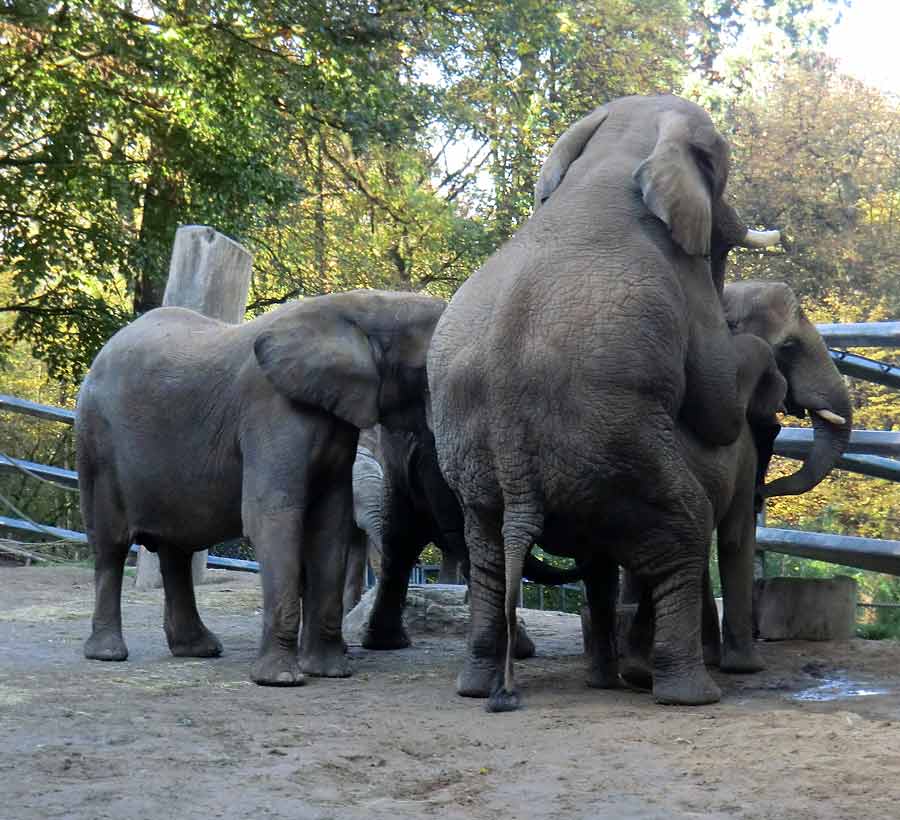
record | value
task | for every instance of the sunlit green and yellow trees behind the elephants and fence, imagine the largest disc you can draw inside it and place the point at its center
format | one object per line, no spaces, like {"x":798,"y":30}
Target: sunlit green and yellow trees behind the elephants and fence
{"x":385,"y":145}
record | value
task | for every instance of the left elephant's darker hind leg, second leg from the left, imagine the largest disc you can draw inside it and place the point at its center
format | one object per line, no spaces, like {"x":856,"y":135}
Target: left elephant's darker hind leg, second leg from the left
{"x":186,"y":633}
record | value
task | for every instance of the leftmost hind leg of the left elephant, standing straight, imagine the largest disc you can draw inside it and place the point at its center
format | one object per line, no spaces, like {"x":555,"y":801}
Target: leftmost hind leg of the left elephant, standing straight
{"x":108,"y":535}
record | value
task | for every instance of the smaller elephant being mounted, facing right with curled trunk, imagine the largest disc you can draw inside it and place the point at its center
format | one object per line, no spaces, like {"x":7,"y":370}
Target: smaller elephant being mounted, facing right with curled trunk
{"x":733,"y":476}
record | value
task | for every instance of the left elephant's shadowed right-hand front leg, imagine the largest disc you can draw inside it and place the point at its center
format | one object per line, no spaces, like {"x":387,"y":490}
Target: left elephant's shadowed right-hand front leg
{"x":330,"y":529}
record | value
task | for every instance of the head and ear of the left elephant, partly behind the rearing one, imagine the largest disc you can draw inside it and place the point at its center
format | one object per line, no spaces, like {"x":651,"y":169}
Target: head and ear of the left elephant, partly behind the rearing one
{"x":358,"y":355}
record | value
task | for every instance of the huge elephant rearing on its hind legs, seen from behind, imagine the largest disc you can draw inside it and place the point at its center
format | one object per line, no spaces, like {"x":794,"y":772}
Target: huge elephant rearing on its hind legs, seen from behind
{"x":561,"y":369}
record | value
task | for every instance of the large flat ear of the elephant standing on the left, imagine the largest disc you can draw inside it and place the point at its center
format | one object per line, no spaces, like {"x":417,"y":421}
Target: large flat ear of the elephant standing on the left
{"x":321,"y":358}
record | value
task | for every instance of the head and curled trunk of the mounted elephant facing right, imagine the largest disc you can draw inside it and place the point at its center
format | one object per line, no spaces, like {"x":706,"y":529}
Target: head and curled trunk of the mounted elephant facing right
{"x":770,"y":310}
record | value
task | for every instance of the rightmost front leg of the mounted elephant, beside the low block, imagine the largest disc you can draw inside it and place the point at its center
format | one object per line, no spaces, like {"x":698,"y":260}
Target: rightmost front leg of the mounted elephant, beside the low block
{"x":736,"y":546}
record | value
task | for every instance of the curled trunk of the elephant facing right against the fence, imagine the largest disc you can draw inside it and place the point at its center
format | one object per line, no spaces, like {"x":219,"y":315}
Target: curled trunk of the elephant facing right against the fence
{"x":832,"y":421}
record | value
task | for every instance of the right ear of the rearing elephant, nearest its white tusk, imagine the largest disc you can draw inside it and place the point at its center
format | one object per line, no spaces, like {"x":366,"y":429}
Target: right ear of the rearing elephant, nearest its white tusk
{"x":679,"y":179}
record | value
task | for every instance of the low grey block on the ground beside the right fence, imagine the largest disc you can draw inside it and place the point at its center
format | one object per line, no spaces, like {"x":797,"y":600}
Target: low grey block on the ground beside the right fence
{"x":807,"y":609}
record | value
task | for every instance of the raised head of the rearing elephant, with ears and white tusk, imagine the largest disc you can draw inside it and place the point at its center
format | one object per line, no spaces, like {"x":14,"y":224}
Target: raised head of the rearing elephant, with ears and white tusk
{"x":678,"y":161}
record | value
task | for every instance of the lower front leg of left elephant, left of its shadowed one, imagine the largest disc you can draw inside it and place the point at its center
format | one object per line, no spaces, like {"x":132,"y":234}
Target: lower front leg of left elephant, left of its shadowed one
{"x":277,"y":538}
